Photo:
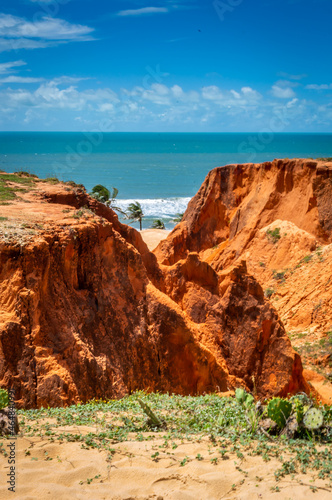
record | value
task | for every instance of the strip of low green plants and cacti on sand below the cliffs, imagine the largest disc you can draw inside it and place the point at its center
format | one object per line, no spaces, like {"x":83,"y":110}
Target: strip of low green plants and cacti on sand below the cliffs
{"x":298,"y":436}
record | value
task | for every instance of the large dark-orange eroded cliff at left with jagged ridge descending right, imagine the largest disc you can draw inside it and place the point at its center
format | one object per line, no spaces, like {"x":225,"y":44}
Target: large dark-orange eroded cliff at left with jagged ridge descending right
{"x":87,"y":311}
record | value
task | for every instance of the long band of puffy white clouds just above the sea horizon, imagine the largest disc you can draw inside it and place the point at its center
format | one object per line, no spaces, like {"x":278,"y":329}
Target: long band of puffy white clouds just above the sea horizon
{"x":138,"y":108}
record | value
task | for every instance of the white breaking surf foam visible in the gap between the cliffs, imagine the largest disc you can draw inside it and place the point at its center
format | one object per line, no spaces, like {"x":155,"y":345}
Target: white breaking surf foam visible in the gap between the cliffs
{"x":158,"y":207}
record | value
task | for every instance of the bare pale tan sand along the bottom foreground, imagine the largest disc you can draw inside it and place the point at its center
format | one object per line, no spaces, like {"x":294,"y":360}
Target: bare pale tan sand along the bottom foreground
{"x":55,"y":471}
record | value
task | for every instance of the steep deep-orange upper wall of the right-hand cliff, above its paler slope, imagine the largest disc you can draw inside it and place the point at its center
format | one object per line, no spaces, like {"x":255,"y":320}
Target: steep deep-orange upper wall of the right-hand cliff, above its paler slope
{"x":236,"y":201}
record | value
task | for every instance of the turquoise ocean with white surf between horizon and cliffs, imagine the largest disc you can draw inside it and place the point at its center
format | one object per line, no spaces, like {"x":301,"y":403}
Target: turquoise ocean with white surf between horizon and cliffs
{"x":160,"y":170}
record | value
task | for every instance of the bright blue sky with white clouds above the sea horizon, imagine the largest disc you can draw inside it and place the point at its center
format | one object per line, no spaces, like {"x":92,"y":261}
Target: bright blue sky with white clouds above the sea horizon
{"x":166,"y":65}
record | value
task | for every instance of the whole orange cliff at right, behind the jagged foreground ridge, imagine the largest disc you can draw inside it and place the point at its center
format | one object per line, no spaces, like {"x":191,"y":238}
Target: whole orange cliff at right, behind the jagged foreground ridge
{"x":277,"y":217}
